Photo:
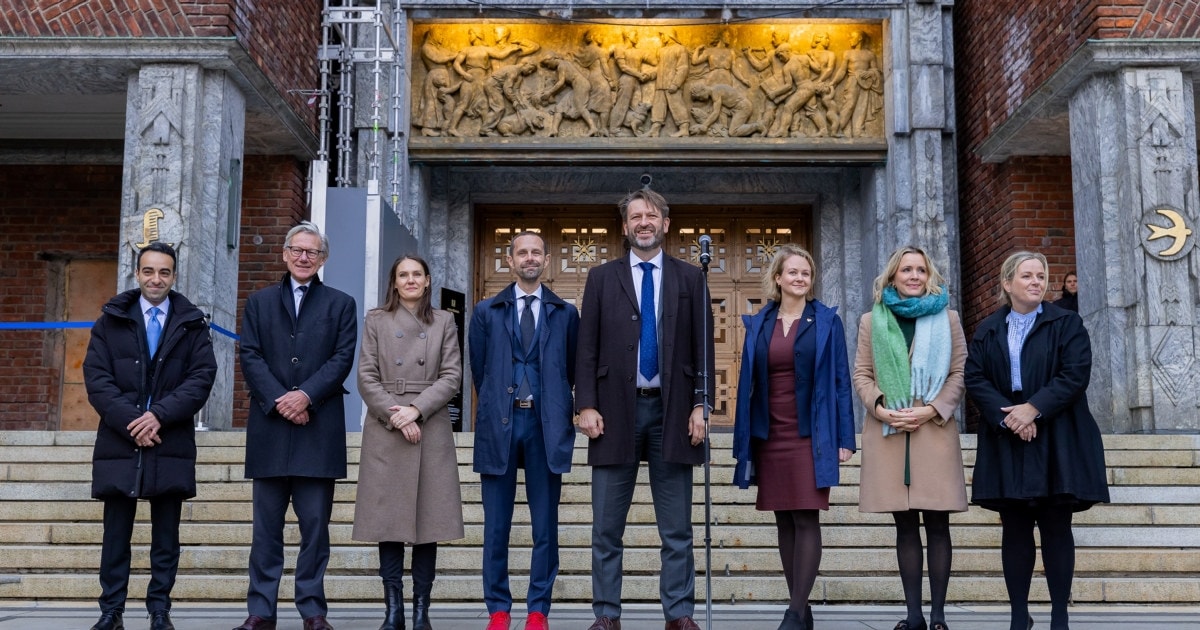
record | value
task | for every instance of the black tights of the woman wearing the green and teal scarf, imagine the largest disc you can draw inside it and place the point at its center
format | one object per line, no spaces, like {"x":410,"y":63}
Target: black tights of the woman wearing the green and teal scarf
{"x":909,"y":557}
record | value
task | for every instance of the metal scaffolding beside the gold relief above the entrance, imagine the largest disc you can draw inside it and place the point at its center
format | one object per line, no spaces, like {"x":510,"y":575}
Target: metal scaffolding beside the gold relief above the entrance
{"x":362,"y":43}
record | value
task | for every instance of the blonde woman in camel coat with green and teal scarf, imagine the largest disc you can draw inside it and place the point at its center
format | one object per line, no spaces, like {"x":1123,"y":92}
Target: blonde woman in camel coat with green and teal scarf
{"x":909,"y":376}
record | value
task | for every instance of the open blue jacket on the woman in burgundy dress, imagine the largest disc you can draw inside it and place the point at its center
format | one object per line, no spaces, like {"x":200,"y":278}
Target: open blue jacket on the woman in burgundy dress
{"x":832,"y":411}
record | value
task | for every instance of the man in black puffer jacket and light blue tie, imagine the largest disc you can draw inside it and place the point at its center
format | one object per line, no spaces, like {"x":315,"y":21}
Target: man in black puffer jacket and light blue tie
{"x":149,"y":370}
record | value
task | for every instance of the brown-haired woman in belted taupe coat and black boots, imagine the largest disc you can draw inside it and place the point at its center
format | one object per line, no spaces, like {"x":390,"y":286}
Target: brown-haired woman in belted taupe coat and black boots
{"x":410,"y":368}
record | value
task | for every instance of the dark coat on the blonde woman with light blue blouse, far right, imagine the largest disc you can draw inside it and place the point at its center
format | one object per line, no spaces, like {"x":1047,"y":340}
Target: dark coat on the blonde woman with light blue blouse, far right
{"x":1065,"y":463}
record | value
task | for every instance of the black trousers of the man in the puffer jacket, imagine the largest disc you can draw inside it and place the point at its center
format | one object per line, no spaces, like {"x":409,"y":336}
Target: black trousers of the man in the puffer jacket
{"x":115,"y":556}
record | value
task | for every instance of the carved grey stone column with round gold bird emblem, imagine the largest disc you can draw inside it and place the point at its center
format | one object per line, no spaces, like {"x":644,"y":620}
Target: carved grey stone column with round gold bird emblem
{"x":1133,"y":142}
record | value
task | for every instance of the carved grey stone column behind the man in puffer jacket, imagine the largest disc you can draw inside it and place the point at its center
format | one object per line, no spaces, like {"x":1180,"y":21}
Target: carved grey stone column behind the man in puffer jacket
{"x":184,"y":140}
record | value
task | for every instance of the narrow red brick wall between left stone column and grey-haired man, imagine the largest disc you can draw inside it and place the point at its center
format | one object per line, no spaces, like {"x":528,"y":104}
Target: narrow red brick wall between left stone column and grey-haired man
{"x":273,"y":201}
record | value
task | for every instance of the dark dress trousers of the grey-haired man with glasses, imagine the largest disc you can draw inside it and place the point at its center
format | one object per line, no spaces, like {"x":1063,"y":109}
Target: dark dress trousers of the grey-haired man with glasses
{"x":313,"y":500}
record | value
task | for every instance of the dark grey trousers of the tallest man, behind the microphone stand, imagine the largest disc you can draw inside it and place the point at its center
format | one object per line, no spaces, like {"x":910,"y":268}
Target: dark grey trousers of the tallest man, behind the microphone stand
{"x":613,"y":491}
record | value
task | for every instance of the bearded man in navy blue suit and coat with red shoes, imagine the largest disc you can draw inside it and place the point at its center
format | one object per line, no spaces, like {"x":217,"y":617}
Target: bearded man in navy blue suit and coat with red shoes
{"x":523,"y":361}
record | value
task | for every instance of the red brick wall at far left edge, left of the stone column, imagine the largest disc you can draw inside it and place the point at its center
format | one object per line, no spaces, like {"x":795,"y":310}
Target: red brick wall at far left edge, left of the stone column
{"x":47,"y":214}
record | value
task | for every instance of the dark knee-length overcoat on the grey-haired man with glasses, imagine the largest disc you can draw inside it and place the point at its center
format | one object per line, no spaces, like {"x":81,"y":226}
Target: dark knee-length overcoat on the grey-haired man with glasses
{"x":281,"y":353}
